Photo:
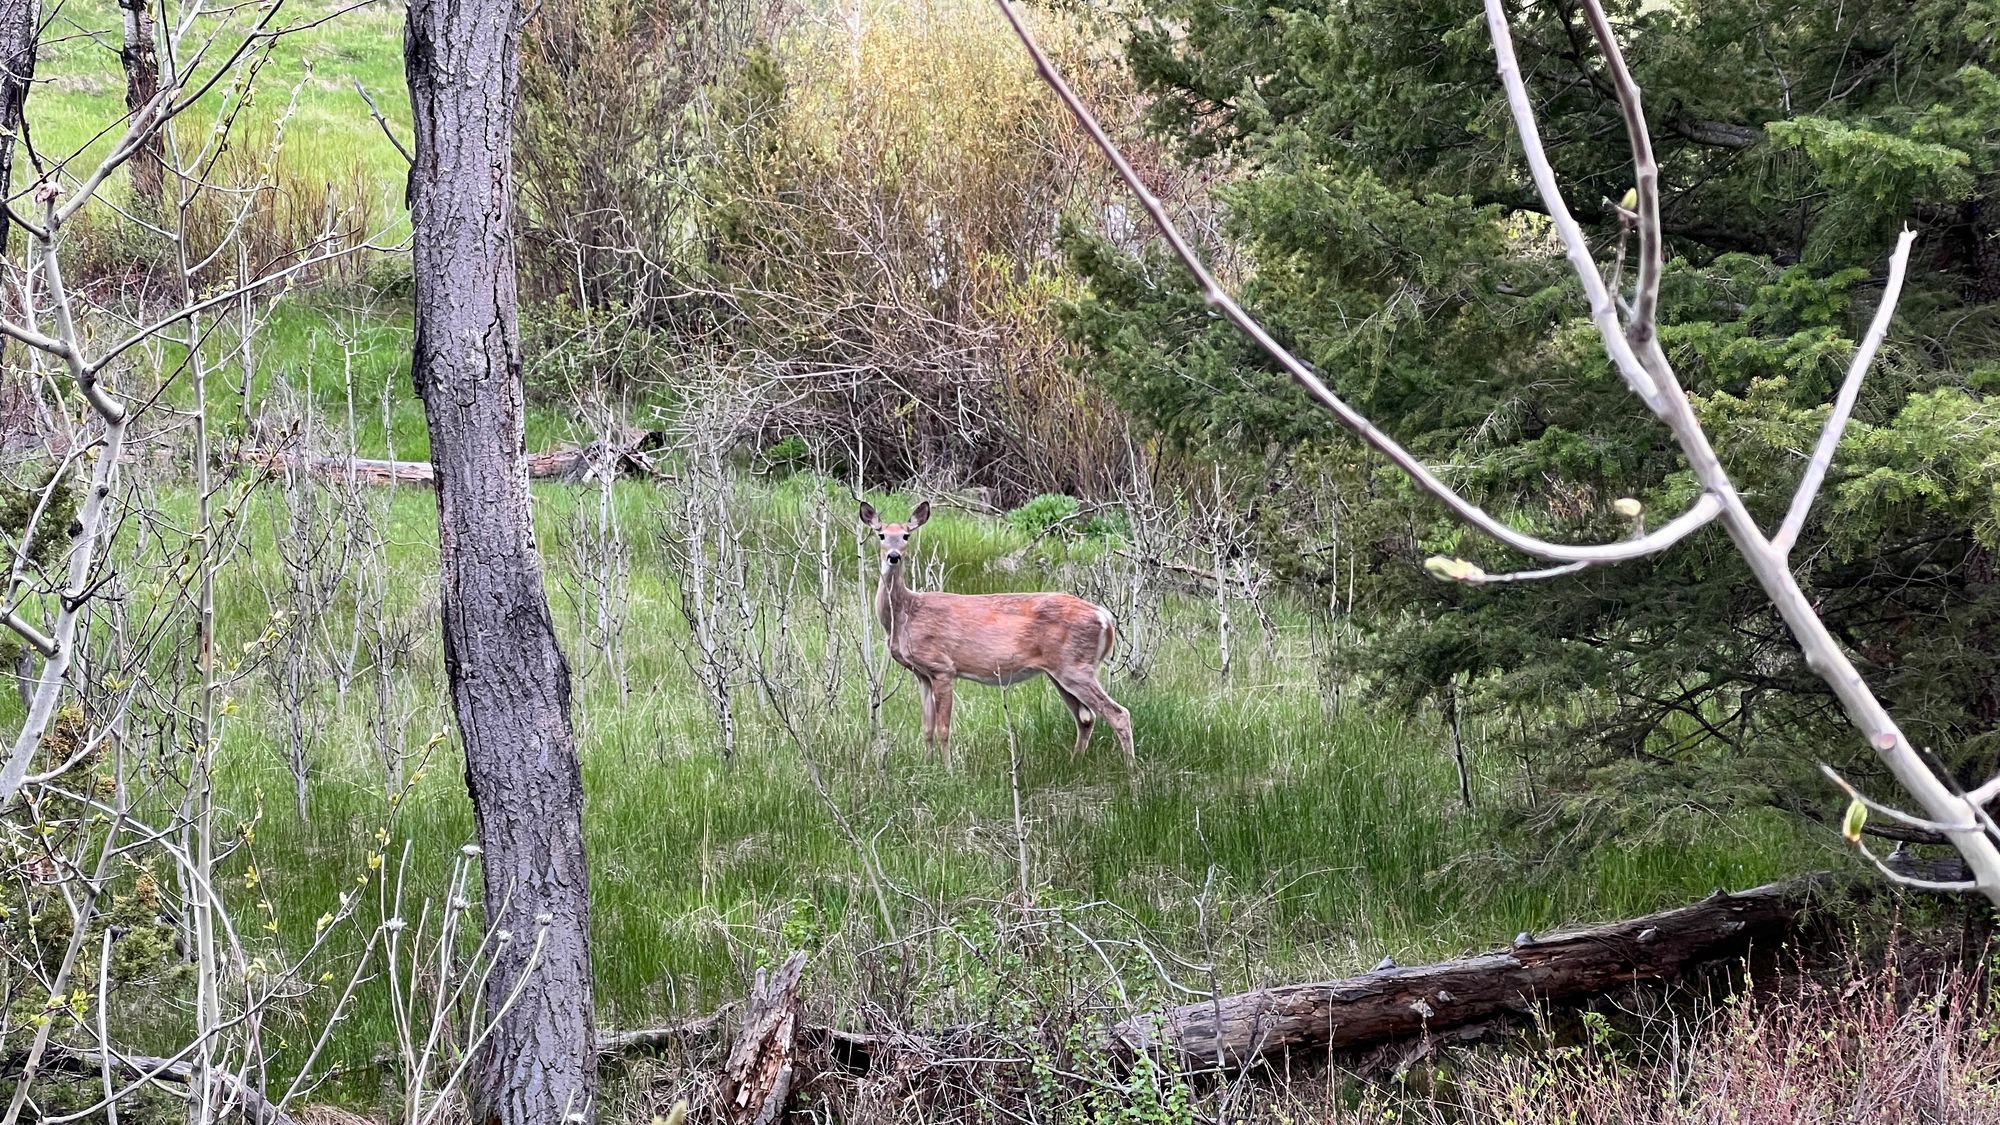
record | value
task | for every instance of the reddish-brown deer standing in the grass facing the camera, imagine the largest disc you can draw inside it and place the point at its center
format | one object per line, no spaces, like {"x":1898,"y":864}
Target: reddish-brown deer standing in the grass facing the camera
{"x":993,"y":640}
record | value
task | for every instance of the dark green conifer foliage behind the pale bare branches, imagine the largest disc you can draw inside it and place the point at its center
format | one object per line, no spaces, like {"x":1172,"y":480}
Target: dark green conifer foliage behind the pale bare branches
{"x":1391,"y":237}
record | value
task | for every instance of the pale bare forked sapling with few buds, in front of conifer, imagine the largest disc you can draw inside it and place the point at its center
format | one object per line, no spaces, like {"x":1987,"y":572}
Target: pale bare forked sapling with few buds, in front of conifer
{"x":1629,"y":331}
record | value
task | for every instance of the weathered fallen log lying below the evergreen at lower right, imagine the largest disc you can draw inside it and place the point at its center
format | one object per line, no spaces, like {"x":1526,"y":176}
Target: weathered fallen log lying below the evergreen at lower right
{"x":1399,"y":1004}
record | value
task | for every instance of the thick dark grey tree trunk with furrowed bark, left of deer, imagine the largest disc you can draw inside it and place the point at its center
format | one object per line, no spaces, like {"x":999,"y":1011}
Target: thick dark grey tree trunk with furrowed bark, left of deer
{"x":511,"y":684}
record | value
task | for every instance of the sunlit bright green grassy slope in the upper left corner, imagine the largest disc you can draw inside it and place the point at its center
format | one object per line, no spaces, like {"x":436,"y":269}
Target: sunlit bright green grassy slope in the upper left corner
{"x":303,"y":167}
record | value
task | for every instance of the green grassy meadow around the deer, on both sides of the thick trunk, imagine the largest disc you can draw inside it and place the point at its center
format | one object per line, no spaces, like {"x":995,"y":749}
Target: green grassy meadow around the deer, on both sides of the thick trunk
{"x":1269,"y":834}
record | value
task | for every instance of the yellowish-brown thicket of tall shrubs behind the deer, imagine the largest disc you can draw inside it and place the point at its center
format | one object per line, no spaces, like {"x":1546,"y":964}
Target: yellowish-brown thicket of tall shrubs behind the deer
{"x":849,"y":229}
